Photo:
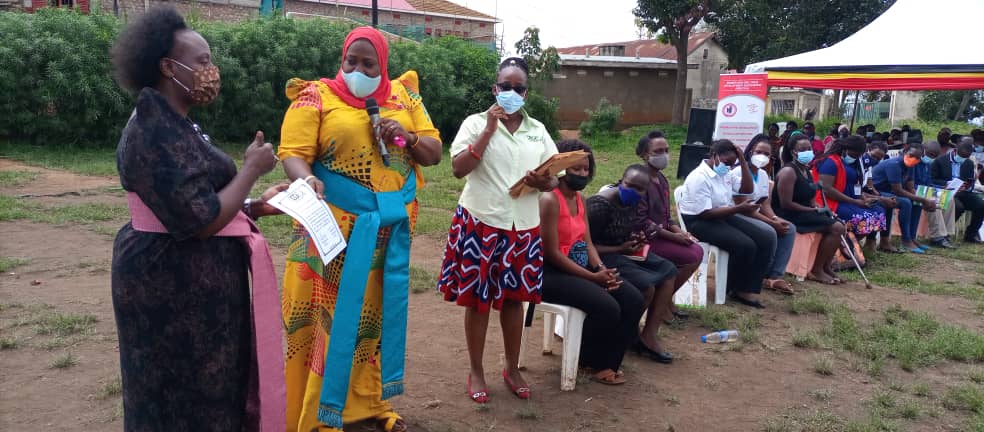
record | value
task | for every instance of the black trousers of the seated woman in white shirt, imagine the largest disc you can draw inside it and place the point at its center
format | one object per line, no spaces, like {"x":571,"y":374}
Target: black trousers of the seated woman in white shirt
{"x":750,"y":244}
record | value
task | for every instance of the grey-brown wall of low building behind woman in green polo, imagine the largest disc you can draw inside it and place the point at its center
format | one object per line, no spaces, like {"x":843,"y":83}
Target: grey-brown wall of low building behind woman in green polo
{"x":645,"y":94}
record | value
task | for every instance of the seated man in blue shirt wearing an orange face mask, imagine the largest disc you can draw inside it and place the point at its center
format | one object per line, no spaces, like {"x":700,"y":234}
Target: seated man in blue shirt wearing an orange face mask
{"x":895,"y":177}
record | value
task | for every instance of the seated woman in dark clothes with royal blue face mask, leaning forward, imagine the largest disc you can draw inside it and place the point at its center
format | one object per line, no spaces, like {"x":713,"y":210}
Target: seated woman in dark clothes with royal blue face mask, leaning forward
{"x":611,"y":221}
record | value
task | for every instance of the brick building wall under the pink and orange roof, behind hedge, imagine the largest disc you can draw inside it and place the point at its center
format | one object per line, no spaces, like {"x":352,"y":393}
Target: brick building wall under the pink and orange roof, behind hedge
{"x":435,"y":26}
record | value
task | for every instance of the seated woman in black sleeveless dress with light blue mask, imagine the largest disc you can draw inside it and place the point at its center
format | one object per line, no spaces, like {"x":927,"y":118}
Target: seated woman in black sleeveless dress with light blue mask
{"x":794,"y":199}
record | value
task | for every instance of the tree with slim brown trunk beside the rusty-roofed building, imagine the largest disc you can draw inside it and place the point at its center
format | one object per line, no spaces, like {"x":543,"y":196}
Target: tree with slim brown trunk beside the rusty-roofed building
{"x":674,"y":20}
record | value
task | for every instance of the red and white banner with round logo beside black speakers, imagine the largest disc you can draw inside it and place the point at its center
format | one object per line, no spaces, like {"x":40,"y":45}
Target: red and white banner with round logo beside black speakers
{"x":741,"y":107}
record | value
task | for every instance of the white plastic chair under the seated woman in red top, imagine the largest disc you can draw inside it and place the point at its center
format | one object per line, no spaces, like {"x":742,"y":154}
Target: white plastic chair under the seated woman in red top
{"x":573,"y":319}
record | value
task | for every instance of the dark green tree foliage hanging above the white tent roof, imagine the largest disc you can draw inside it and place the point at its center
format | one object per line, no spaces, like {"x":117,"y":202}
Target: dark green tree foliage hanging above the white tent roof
{"x":758,"y":30}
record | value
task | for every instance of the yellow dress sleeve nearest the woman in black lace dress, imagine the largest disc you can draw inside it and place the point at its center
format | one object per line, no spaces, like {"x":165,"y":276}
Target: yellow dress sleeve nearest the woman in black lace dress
{"x":299,"y":132}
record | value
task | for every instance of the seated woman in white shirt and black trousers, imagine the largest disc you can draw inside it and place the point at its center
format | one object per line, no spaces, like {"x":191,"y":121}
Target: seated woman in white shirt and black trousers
{"x":712,"y":216}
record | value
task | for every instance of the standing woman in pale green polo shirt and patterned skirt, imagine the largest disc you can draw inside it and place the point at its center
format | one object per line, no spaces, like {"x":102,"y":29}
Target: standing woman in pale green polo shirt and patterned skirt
{"x":494,"y":258}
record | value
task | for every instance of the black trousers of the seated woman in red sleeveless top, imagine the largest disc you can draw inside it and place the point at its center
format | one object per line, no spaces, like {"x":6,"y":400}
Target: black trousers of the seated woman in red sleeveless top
{"x":613,"y":317}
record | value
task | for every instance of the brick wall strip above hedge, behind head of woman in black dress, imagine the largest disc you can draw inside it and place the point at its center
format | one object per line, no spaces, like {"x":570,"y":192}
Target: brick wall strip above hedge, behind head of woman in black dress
{"x":214,"y":10}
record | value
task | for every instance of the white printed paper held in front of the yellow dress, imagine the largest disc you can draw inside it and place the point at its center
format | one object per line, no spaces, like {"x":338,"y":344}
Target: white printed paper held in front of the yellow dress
{"x":301,"y":202}
